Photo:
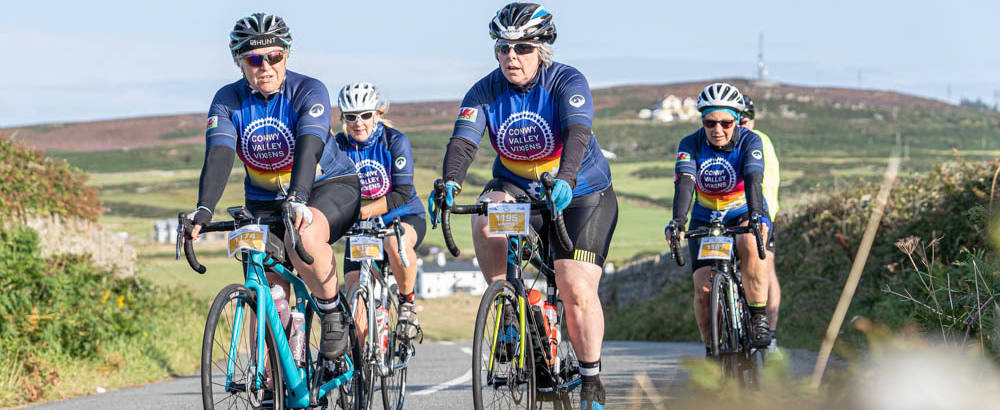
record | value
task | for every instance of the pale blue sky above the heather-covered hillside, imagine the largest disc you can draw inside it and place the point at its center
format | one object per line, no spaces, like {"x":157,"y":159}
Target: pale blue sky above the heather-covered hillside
{"x":76,"y":61}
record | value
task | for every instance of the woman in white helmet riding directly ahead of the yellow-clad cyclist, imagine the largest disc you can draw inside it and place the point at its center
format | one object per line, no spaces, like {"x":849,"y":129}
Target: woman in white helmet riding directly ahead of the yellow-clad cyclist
{"x":724,"y":165}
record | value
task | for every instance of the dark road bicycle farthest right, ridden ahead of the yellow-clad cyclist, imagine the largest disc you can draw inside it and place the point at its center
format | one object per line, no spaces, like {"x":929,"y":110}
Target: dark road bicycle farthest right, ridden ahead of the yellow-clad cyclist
{"x":728,"y":308}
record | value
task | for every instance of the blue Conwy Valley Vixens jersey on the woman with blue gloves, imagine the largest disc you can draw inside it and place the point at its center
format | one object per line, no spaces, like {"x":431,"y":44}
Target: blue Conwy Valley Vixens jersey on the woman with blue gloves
{"x":525,"y":127}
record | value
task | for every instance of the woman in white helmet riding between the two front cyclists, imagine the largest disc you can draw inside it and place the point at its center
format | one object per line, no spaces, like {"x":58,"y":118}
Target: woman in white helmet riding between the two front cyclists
{"x":384,"y":162}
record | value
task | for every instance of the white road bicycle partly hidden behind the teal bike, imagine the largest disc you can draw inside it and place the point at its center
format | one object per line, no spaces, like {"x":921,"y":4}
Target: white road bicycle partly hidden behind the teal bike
{"x":374,"y":300}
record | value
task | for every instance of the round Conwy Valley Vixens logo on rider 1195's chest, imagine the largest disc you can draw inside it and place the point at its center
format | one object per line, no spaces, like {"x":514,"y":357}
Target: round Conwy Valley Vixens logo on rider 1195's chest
{"x":525,"y":136}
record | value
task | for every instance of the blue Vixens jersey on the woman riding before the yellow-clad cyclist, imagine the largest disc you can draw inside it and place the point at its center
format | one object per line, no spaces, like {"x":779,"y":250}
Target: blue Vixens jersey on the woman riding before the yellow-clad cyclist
{"x":719,"y":173}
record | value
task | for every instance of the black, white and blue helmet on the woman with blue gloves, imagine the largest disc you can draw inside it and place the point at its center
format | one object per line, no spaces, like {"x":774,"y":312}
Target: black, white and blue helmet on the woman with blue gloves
{"x":523,"y":21}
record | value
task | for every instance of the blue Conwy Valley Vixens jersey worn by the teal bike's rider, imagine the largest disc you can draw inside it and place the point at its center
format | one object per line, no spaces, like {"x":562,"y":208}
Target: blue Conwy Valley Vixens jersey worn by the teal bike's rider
{"x":263,"y":131}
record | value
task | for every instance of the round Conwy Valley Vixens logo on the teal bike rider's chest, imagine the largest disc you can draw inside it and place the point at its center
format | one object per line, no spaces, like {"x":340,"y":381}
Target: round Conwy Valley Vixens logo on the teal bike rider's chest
{"x":267,"y":145}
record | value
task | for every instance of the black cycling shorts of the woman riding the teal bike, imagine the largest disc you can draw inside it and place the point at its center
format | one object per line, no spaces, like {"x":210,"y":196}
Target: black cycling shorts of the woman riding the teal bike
{"x":339,"y":199}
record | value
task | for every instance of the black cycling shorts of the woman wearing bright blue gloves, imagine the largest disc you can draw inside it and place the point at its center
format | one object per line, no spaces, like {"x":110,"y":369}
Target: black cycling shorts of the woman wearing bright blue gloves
{"x":590,"y":222}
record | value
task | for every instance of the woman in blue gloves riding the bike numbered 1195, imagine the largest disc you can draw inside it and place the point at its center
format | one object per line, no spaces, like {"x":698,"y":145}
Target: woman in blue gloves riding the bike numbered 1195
{"x":538,"y":115}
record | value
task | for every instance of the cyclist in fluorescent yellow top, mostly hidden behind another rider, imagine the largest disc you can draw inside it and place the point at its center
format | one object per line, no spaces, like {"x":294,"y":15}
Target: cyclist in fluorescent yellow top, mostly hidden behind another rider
{"x":770,"y":186}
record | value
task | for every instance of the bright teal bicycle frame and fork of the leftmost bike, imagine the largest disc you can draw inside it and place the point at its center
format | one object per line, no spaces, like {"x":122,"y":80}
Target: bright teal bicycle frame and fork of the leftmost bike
{"x":296,"y":379}
